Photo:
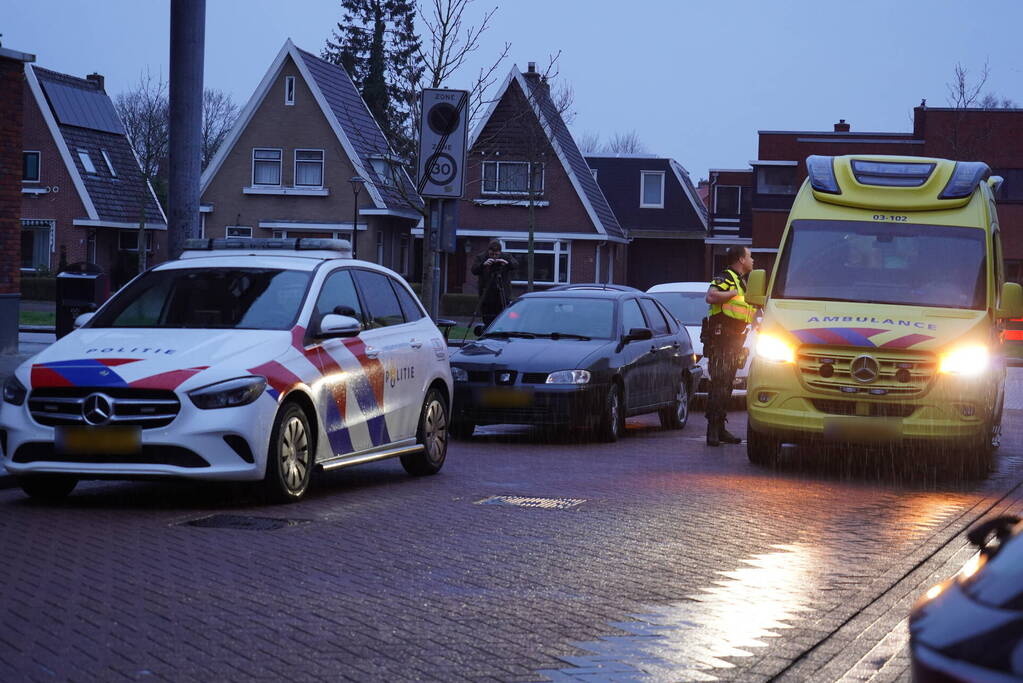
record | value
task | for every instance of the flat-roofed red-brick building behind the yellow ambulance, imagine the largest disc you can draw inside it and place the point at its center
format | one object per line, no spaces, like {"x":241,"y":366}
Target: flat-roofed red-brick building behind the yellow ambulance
{"x":994,"y":136}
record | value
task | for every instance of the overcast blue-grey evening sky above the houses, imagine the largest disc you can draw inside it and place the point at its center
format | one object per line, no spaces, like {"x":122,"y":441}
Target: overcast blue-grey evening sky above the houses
{"x":695,"y":80}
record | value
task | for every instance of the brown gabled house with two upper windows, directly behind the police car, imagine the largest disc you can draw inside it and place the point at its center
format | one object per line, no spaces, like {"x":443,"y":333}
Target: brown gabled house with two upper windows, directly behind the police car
{"x":286,"y":169}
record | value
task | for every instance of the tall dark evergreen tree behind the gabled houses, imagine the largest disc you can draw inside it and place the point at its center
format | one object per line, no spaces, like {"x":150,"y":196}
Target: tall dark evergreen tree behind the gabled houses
{"x":377,"y":43}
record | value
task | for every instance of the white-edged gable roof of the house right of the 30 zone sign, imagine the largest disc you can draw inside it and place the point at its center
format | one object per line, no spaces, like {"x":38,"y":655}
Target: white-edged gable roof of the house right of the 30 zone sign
{"x":561,"y":140}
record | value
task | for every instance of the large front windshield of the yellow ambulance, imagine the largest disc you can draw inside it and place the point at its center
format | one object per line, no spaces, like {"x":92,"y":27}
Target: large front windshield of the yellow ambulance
{"x":883,"y":263}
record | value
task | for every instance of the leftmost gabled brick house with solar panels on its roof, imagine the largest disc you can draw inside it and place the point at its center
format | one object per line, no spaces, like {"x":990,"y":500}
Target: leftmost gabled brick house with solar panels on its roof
{"x":83,"y":194}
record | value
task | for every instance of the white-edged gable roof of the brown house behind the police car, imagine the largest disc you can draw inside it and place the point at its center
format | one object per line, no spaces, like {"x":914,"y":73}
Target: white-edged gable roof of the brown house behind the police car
{"x":346,"y":112}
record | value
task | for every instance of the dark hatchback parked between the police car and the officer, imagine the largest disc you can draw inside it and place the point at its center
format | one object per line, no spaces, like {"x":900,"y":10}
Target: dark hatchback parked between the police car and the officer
{"x":576,"y":358}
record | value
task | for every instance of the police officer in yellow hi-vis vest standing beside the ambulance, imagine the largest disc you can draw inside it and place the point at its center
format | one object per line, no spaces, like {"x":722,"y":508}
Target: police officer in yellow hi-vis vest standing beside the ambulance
{"x":725,"y":333}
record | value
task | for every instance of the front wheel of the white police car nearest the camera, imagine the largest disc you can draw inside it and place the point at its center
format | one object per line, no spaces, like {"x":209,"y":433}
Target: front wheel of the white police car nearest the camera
{"x":290,"y":461}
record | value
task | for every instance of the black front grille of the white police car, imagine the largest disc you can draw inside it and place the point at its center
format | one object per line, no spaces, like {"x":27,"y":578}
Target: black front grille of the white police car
{"x":148,"y":408}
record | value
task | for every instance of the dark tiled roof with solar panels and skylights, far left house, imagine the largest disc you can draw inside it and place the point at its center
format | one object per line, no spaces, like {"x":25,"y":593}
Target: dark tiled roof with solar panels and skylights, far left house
{"x":81,"y":118}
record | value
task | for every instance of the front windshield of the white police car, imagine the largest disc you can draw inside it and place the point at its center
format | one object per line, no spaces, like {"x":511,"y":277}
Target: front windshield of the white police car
{"x":209,"y":298}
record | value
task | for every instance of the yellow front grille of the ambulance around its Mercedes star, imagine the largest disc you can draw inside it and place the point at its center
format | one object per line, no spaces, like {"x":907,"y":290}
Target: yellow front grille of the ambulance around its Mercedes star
{"x":900,"y":375}
